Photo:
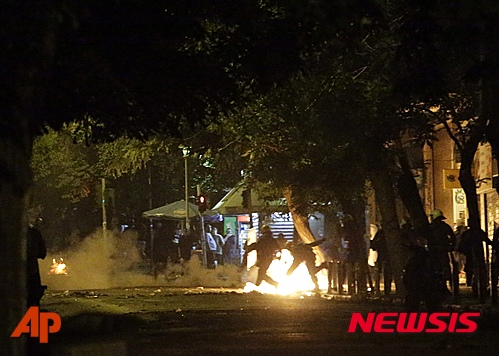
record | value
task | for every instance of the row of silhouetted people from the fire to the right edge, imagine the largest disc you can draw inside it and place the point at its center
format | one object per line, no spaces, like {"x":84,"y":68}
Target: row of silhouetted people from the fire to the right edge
{"x":432,"y":258}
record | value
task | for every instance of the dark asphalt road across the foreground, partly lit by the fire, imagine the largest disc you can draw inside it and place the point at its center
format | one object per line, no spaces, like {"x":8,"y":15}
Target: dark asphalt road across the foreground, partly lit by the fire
{"x":165,"y":321}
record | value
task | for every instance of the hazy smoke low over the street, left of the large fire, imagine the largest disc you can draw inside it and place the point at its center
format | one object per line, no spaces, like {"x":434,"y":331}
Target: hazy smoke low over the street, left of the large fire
{"x":116,"y":261}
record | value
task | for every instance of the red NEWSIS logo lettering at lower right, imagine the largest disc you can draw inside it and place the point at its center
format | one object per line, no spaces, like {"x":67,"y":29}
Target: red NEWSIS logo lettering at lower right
{"x":414,"y":322}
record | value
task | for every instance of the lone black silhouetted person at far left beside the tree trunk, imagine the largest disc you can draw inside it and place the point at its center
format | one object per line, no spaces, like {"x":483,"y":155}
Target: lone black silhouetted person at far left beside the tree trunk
{"x":36,"y":249}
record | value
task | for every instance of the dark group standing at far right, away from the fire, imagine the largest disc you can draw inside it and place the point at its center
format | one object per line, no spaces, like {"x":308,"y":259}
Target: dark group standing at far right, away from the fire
{"x":436,"y":259}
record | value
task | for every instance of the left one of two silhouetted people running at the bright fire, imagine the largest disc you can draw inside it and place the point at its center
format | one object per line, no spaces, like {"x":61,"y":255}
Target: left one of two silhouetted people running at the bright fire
{"x":266,"y":248}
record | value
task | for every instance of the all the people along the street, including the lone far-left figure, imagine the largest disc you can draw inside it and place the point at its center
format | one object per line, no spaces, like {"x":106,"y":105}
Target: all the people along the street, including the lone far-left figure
{"x":432,"y":258}
